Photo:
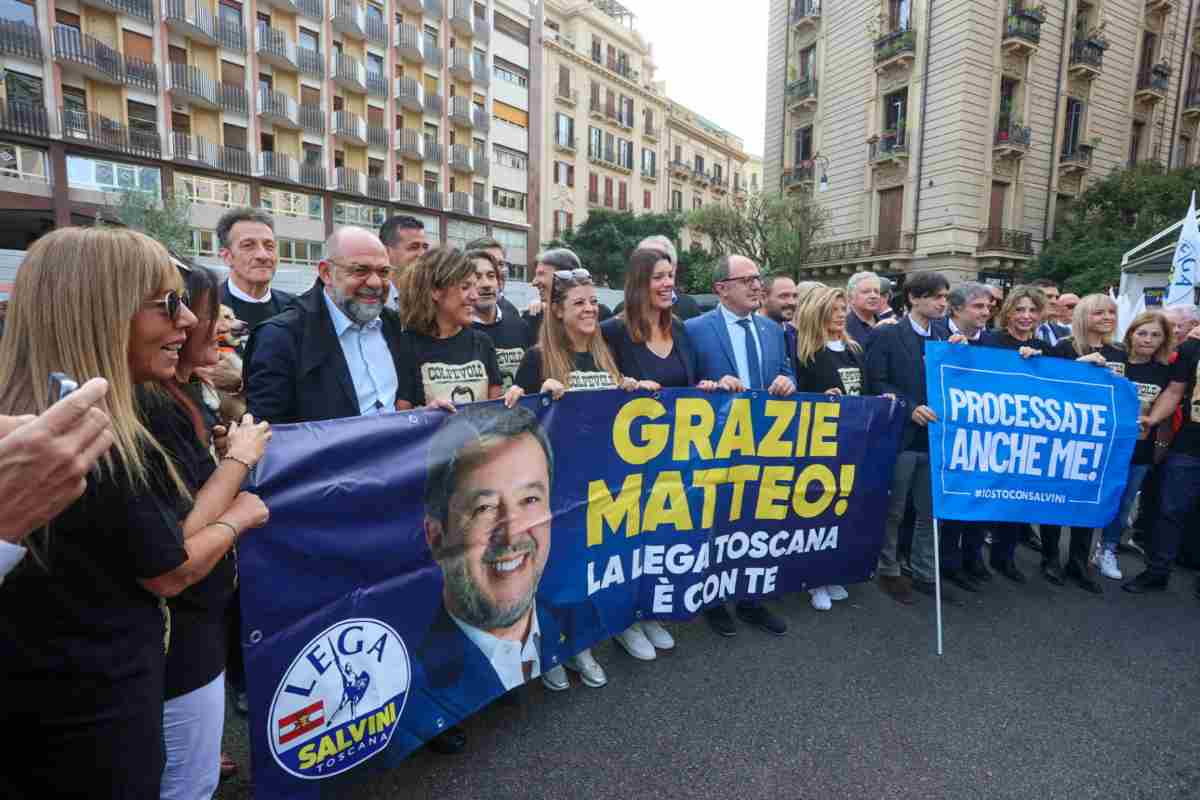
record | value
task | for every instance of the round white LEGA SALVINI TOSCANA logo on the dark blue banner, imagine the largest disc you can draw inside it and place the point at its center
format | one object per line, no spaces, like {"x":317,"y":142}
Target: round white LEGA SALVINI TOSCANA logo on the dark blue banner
{"x":340,"y":701}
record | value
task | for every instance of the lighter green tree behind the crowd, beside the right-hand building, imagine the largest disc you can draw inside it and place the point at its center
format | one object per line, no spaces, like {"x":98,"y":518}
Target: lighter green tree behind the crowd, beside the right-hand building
{"x":778,"y":232}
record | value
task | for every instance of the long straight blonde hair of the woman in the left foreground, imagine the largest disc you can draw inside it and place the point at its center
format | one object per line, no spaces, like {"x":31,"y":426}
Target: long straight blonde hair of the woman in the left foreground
{"x":73,"y":306}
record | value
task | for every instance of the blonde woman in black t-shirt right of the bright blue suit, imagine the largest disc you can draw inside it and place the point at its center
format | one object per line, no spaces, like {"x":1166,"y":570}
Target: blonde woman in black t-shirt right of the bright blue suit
{"x":829,"y":362}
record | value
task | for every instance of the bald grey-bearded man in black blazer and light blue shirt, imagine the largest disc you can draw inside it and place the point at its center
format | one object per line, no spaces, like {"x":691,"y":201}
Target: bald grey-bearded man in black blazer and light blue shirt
{"x":334,"y":354}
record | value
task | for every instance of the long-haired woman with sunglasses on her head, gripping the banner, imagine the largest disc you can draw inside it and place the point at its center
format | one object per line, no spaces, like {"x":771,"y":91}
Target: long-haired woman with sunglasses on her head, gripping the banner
{"x":571,"y":356}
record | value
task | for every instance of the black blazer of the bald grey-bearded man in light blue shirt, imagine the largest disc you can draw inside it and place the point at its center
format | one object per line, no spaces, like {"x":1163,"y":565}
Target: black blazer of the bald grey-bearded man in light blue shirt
{"x":296,"y":371}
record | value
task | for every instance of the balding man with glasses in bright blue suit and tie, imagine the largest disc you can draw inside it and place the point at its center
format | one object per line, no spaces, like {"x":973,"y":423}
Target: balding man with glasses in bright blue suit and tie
{"x":742,"y":351}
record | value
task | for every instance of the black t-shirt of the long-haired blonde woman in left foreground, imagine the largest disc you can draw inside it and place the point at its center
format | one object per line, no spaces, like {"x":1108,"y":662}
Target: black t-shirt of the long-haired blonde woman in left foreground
{"x":81,"y":639}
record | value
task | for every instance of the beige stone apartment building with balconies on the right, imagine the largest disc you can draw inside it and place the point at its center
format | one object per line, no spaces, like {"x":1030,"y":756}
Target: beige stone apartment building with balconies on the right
{"x":953,"y":141}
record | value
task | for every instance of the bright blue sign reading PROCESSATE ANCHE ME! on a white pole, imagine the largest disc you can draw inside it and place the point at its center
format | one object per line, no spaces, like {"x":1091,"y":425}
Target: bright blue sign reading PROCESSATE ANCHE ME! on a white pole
{"x":1039,"y":441}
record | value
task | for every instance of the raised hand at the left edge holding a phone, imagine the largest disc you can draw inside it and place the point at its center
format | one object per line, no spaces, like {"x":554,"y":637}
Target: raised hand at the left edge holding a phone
{"x":45,"y":460}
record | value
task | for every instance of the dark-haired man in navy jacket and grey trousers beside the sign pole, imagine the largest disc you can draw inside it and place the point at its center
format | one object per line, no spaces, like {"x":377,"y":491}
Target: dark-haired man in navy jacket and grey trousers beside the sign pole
{"x":896,"y":368}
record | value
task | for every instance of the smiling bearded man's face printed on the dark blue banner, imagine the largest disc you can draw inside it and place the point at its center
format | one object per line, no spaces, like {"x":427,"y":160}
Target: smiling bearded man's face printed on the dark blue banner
{"x":496,"y":539}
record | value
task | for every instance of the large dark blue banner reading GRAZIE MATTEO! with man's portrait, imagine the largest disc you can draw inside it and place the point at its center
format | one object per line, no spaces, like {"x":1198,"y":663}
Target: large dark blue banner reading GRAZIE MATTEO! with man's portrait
{"x":419,"y":566}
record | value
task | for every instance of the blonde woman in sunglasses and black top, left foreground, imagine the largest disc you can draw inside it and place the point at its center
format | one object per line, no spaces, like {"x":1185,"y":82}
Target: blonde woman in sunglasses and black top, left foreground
{"x":86,"y":630}
